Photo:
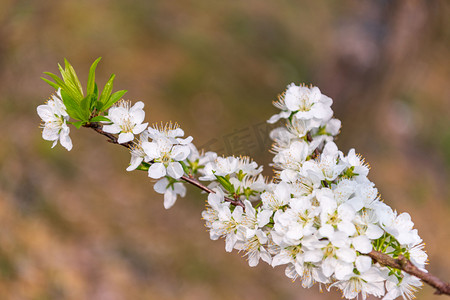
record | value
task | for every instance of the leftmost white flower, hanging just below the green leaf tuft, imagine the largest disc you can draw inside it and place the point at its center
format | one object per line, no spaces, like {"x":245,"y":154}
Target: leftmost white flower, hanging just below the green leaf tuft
{"x":55,"y":118}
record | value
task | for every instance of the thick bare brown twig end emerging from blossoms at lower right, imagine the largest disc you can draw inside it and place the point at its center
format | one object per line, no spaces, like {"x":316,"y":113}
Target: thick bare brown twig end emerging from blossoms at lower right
{"x":402,"y":263}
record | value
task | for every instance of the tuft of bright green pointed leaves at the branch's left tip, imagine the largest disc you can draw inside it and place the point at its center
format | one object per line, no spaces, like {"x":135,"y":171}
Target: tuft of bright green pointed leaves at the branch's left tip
{"x":83,"y":107}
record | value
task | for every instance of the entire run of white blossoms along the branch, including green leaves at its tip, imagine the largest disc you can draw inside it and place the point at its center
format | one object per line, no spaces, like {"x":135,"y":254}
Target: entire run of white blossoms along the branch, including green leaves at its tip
{"x":319,"y":217}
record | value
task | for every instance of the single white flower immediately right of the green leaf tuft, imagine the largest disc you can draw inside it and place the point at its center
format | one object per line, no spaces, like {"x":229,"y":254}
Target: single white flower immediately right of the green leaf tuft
{"x":126,"y":120}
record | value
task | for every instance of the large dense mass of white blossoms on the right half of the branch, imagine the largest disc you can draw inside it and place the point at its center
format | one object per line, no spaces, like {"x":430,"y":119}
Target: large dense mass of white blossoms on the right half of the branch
{"x":321,"y":215}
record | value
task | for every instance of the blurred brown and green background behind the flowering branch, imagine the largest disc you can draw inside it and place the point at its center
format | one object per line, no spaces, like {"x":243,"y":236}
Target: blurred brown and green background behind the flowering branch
{"x":76,"y":225}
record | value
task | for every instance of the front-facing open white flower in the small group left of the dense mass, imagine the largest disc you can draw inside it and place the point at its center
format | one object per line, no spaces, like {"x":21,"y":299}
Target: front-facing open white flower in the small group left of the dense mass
{"x":166,"y":157}
